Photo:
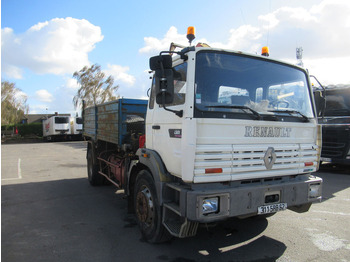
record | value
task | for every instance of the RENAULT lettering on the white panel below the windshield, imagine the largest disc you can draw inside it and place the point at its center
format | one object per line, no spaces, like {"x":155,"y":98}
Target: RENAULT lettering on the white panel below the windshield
{"x":261,"y":131}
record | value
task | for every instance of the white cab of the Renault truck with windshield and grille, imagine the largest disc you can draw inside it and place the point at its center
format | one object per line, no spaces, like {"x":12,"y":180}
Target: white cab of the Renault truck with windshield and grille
{"x":235,"y":107}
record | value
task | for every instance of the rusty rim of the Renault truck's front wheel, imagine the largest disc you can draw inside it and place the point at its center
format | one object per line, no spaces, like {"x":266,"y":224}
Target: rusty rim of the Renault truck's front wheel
{"x":144,"y":206}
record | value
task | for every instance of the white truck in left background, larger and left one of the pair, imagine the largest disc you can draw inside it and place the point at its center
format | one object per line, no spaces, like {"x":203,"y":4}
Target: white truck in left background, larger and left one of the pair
{"x":56,"y":128}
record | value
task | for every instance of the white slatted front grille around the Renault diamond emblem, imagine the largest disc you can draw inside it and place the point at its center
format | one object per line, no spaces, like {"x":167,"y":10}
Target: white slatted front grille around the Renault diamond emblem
{"x":247,"y":161}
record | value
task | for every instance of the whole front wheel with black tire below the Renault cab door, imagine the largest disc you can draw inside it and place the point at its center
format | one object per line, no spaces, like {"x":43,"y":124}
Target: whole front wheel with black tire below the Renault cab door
{"x":147,"y":209}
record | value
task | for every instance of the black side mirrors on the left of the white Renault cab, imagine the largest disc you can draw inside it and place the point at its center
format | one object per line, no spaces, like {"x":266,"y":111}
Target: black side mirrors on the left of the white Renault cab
{"x":164,"y":78}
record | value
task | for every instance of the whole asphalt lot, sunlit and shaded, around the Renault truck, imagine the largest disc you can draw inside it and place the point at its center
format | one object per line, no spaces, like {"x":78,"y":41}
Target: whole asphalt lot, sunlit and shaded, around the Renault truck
{"x":49,"y":212}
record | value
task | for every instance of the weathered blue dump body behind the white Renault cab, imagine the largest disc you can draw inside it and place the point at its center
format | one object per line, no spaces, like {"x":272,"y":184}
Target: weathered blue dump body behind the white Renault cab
{"x":115,"y":121}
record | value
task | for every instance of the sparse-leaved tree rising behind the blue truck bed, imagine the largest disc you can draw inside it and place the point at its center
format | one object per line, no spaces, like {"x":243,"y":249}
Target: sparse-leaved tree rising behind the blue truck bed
{"x":95,"y":88}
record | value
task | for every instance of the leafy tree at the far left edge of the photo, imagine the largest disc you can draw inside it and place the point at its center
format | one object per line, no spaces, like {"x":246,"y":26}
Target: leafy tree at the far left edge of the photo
{"x":13,"y":104}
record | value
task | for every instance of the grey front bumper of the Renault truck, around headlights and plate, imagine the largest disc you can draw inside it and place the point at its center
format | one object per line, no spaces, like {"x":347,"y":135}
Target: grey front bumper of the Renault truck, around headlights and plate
{"x":244,"y":199}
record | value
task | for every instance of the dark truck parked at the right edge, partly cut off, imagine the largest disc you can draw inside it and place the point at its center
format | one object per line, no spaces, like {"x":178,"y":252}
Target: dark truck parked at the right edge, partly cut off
{"x":333,"y":106}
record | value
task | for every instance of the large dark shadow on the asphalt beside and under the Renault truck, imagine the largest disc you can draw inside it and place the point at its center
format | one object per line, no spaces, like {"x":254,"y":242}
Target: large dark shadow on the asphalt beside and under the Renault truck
{"x":68,"y":220}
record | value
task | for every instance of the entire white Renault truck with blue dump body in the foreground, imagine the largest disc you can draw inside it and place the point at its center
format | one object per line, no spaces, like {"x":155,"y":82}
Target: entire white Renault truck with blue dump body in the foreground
{"x":224,"y":134}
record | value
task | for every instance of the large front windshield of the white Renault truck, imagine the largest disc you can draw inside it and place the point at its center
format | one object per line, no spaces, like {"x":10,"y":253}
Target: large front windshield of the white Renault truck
{"x":227,"y":85}
